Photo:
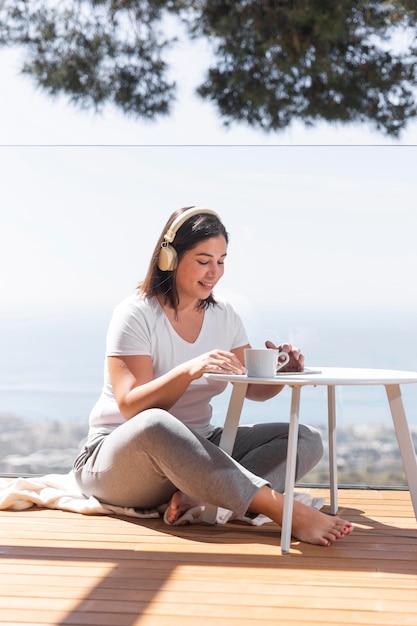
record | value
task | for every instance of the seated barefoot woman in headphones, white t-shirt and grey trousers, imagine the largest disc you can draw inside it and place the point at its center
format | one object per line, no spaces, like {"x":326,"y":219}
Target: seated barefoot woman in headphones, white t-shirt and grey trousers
{"x":151,"y":440}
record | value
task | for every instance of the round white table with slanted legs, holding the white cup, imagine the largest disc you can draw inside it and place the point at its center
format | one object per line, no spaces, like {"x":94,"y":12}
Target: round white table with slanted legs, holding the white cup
{"x":330,"y":377}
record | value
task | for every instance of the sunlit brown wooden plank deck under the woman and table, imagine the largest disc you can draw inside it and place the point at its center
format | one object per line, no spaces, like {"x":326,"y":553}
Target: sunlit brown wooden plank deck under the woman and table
{"x":64,"y":568}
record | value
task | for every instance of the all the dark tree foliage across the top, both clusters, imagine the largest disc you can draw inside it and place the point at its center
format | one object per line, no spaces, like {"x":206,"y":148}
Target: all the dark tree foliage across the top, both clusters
{"x":274,"y":61}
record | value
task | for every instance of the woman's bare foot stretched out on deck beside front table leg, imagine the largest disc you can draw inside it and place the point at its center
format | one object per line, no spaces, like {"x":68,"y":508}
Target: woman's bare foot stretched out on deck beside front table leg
{"x":315,"y":527}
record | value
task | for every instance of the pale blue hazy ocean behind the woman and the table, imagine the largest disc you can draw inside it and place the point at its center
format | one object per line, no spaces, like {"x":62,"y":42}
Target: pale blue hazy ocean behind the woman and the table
{"x":51,"y":367}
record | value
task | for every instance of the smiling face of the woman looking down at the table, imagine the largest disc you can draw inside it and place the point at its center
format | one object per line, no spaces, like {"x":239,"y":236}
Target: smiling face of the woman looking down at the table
{"x":200,"y":269}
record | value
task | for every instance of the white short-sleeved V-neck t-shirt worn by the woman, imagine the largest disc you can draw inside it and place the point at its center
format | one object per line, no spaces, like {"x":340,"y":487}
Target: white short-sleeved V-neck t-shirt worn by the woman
{"x":139,"y":326}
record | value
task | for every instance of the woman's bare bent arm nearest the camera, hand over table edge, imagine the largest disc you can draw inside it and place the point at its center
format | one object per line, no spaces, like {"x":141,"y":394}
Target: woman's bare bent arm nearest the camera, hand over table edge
{"x":136,"y":389}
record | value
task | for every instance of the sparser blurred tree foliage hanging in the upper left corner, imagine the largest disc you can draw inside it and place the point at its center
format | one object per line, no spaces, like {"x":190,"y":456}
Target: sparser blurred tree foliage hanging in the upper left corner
{"x":95,"y":52}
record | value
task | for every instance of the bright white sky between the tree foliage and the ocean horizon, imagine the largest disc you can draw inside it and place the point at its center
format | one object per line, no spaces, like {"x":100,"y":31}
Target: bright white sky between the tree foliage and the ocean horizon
{"x":322,"y":217}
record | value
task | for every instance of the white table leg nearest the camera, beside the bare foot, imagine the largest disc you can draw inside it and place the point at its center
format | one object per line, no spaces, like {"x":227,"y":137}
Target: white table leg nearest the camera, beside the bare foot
{"x":290,"y":471}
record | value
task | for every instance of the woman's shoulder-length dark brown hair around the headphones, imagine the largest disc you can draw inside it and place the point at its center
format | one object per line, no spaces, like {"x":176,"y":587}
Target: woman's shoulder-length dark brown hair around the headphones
{"x":163,"y":283}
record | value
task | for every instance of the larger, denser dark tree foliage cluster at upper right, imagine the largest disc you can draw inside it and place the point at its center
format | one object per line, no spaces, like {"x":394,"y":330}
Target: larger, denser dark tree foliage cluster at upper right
{"x":312,"y":60}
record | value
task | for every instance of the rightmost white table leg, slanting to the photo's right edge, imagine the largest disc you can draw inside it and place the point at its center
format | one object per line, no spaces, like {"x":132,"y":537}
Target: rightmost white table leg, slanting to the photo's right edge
{"x":404,"y":439}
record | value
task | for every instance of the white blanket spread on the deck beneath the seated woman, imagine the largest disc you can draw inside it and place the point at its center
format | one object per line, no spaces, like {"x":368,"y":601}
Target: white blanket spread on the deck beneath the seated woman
{"x":60,"y":491}
